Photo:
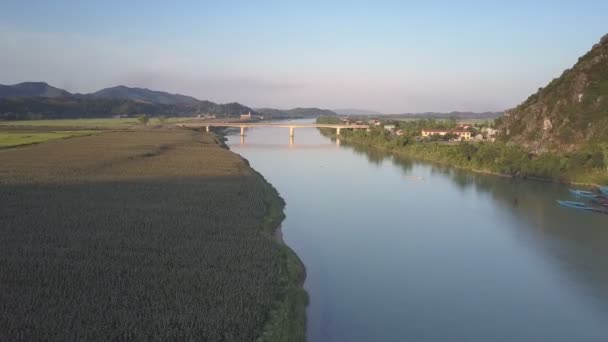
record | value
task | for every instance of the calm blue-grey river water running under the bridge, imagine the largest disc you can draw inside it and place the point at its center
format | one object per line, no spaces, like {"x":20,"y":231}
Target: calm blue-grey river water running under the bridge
{"x":456,"y":257}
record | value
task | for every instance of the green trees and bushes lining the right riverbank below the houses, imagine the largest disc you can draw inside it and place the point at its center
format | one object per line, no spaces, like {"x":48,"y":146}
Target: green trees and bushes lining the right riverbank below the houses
{"x":586,"y":165}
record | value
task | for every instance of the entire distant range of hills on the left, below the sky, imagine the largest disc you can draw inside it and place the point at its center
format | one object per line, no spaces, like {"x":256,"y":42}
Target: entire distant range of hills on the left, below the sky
{"x":36,"y":100}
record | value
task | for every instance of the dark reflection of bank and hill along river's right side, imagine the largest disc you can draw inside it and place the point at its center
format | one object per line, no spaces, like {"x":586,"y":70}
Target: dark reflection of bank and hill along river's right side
{"x":574,"y":242}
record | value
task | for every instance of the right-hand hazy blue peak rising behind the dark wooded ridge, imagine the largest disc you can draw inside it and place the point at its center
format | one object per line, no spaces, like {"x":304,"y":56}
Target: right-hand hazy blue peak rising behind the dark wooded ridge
{"x":145,"y":95}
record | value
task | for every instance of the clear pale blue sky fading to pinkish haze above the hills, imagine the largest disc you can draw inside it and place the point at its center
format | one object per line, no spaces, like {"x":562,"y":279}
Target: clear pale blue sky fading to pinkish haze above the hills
{"x":388,"y":56}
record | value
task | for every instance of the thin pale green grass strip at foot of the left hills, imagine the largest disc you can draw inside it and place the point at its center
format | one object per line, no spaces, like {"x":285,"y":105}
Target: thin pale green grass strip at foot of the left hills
{"x":97,"y":123}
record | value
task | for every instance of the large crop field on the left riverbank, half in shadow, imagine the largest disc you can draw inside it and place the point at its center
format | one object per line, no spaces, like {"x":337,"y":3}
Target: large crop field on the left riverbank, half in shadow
{"x":142,"y":235}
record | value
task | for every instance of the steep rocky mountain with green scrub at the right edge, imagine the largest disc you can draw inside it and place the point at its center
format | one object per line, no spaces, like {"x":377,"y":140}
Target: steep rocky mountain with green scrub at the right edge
{"x":569,"y":113}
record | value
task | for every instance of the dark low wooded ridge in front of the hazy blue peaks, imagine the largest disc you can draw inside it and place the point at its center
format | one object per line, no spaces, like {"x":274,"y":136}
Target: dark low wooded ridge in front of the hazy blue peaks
{"x":29,"y":108}
